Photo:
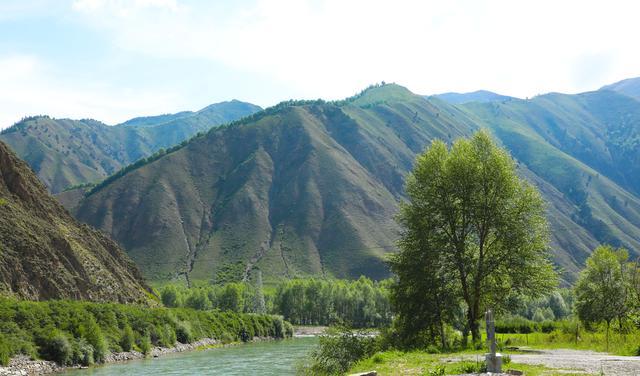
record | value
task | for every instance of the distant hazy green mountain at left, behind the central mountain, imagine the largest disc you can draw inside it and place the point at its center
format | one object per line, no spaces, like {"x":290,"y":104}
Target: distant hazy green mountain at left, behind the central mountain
{"x":67,"y":152}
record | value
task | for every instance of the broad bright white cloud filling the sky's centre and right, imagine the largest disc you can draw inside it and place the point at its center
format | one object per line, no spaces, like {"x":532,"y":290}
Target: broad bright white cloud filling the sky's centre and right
{"x":332,"y":48}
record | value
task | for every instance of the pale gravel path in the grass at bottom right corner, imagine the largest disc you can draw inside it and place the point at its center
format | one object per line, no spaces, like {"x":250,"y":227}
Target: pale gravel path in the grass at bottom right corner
{"x":590,"y":362}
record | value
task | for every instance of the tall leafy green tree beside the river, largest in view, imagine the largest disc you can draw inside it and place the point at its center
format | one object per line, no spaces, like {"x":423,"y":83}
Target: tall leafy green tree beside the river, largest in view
{"x":473,"y":230}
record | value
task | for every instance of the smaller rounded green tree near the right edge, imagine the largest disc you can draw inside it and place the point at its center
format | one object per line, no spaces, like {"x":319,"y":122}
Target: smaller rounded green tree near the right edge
{"x":602,"y":288}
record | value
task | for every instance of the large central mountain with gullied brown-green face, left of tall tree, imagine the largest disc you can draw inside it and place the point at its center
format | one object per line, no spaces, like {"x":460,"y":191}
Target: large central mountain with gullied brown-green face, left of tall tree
{"x":300,"y":189}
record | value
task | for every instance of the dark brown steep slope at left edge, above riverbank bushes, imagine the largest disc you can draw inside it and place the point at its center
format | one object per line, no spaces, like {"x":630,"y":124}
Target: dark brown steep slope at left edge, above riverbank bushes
{"x":45,"y":253}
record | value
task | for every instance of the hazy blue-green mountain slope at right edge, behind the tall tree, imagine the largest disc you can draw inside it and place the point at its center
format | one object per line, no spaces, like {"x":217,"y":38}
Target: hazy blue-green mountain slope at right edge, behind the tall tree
{"x":586,"y":147}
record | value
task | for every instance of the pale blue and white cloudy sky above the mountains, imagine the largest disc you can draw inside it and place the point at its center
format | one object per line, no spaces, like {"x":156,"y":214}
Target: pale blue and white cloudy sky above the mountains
{"x":112,"y":60}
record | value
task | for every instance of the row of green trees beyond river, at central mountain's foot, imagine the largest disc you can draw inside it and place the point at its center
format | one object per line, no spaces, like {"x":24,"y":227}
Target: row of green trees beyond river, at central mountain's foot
{"x":362,"y":303}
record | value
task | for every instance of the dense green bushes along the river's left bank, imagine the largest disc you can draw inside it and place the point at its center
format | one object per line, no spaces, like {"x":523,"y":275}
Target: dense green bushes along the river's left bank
{"x":74,"y":333}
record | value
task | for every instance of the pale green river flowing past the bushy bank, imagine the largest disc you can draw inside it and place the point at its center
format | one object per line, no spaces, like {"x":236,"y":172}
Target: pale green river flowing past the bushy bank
{"x":260,"y":358}
